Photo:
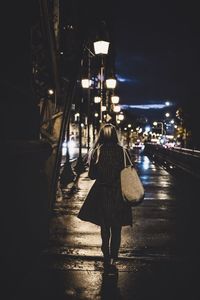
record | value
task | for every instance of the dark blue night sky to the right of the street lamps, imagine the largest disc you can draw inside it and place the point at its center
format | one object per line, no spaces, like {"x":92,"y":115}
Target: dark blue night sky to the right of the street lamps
{"x":156,"y":45}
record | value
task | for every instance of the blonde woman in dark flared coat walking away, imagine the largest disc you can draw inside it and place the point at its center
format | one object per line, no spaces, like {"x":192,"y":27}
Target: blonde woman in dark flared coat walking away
{"x":104,"y":205}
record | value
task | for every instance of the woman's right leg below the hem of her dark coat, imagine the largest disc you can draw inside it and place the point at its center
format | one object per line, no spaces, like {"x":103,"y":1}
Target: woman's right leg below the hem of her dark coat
{"x":115,"y":240}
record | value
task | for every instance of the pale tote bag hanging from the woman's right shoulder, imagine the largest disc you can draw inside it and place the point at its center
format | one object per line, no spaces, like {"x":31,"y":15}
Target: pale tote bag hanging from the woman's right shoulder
{"x":131,"y":185}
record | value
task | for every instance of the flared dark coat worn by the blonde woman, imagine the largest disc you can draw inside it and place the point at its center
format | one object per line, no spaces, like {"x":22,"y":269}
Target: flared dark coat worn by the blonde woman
{"x":104,"y":202}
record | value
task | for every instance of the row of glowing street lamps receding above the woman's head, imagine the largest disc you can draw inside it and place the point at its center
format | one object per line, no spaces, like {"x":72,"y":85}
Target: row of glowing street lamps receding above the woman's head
{"x":104,"y":100}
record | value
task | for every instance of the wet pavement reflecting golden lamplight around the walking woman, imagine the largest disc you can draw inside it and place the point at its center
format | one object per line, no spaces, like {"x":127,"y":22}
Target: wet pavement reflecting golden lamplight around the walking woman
{"x":159,"y":255}
